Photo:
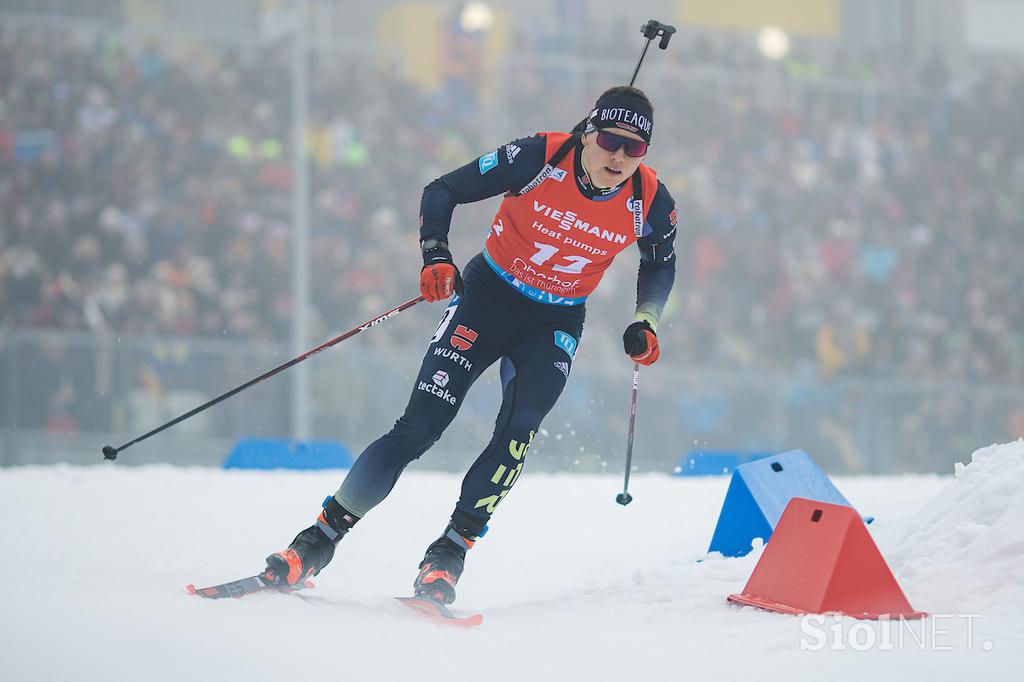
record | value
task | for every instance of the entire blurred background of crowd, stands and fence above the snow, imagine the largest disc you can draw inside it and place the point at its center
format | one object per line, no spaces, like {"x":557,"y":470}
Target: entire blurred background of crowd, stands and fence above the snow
{"x":851,"y":224}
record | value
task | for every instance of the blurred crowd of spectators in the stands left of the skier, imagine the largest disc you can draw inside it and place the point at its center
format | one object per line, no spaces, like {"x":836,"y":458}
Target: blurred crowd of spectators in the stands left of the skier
{"x":149,"y":192}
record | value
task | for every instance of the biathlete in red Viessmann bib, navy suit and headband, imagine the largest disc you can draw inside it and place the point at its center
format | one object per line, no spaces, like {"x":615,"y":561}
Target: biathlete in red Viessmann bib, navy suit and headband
{"x":573,"y":203}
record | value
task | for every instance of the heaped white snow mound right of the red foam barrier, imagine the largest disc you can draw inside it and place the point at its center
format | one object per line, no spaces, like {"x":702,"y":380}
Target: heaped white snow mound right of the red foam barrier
{"x":964,"y":551}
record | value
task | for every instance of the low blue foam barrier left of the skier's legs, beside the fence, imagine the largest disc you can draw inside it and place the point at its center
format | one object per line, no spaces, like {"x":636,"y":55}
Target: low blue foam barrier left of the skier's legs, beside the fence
{"x":288,"y":454}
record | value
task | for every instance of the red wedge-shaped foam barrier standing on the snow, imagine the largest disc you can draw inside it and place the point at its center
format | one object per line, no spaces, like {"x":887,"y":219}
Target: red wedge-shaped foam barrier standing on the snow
{"x":822,"y":560}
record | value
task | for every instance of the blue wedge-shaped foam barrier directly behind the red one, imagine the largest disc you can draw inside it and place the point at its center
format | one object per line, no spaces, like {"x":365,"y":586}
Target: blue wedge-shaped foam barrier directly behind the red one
{"x":760,"y":491}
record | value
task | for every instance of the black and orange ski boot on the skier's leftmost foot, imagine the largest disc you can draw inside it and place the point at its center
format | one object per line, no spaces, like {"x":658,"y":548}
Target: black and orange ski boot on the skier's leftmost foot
{"x":312,"y":550}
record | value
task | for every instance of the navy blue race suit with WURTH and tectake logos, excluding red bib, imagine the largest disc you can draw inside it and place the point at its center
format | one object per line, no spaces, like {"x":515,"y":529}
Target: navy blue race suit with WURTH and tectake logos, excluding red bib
{"x":536,"y":343}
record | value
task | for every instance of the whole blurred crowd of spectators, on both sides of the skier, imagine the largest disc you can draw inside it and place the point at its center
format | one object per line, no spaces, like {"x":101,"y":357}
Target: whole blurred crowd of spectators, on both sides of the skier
{"x":146,"y":190}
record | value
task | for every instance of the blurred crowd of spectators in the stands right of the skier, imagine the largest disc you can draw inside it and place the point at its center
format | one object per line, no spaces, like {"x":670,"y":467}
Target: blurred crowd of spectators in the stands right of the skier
{"x":883,"y":248}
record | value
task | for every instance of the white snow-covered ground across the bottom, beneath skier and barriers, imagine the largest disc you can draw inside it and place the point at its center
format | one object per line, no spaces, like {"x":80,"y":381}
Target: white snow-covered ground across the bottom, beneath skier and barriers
{"x":573,"y":586}
